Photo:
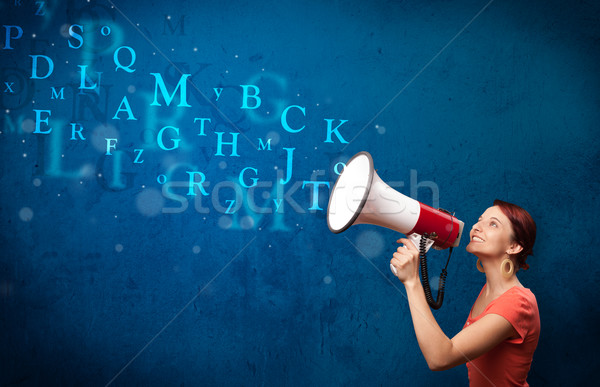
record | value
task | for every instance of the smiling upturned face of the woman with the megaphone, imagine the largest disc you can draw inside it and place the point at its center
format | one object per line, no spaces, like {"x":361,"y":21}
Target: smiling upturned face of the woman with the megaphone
{"x":491,"y":235}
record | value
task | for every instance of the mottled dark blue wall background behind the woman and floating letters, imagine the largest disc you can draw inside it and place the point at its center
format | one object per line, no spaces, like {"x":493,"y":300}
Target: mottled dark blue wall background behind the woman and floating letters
{"x":108,"y":276}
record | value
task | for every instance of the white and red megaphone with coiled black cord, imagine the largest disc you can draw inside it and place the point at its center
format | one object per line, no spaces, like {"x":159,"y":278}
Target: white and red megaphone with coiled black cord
{"x":359,"y":196}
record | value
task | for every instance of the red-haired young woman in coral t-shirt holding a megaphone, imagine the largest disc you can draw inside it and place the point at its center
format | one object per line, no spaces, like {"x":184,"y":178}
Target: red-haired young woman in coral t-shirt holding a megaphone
{"x":501,"y":333}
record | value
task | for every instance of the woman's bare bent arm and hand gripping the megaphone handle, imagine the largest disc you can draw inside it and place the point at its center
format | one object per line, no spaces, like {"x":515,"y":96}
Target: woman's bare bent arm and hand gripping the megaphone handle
{"x":439,"y":351}
